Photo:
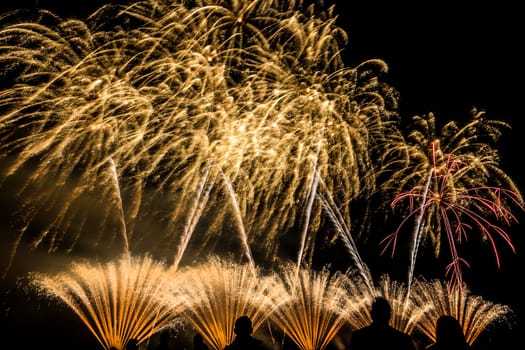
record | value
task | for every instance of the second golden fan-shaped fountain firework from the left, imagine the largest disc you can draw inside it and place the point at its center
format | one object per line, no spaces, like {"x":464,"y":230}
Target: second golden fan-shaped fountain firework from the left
{"x":216,"y":292}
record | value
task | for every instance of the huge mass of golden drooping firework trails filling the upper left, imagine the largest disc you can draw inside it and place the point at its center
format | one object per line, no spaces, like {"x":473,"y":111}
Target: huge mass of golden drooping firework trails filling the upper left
{"x":232,"y":108}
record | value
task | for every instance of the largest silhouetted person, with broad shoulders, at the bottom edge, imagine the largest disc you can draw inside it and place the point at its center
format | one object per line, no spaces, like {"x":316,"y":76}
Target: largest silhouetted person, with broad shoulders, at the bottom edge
{"x":379,"y":334}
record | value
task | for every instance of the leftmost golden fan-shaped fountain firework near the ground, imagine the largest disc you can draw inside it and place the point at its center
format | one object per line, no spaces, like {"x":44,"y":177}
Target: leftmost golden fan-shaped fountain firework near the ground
{"x":117,"y":300}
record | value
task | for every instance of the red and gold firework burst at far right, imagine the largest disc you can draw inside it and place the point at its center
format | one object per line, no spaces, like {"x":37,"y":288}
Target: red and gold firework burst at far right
{"x":455,"y":186}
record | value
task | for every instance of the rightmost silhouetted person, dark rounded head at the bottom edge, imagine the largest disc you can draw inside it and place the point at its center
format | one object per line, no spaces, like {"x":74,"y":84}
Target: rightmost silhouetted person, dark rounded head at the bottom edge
{"x":449,"y":335}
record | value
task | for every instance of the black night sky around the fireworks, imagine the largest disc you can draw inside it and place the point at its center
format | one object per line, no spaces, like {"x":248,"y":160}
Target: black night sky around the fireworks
{"x":443,"y":59}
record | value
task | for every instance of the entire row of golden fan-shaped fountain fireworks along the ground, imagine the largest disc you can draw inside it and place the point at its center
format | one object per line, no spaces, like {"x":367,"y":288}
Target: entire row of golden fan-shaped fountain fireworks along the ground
{"x":136,"y":297}
